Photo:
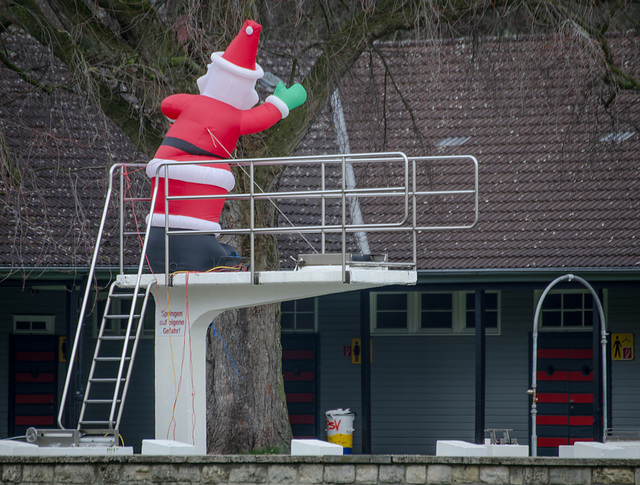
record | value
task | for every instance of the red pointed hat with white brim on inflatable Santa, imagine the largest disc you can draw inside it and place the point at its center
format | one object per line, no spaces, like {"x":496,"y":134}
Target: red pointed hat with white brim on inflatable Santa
{"x":240,"y":56}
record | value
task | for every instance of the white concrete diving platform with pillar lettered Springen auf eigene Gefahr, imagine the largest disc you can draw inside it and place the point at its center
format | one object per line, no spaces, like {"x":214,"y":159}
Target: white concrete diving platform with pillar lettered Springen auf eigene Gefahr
{"x":196,"y":299}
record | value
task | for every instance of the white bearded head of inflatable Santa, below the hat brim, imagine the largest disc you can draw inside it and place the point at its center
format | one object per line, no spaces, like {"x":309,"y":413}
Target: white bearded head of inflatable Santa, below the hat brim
{"x":231,"y":86}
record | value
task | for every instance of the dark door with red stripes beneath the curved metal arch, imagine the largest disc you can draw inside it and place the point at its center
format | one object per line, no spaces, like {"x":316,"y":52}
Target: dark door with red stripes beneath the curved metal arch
{"x":565,"y":390}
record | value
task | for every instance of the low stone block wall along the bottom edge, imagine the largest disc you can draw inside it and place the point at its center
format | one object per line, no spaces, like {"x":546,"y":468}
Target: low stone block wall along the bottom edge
{"x":336,"y":470}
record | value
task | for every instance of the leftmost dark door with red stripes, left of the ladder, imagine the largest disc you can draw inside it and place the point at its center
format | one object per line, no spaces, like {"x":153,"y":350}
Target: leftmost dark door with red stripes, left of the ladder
{"x":33,"y":377}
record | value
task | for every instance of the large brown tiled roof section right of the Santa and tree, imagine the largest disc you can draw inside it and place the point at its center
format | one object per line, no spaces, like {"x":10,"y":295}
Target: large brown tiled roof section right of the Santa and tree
{"x":559,"y":172}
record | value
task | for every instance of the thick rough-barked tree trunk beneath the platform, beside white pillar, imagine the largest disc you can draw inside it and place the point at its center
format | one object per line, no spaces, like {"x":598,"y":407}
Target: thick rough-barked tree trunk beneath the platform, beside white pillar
{"x":246,"y":409}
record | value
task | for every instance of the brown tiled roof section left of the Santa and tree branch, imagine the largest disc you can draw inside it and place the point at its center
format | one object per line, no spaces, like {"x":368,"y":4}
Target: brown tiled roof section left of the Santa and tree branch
{"x":62,"y":146}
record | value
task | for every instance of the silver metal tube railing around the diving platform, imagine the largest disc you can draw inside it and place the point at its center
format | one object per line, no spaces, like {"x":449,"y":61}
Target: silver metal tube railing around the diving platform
{"x":405,"y":190}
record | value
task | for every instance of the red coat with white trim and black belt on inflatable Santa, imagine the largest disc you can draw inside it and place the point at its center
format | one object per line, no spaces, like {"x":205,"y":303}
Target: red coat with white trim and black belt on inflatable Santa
{"x":204,"y":129}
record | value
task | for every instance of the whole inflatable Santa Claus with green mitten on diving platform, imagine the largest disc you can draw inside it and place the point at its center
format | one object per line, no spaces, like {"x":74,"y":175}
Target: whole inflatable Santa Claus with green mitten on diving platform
{"x":204,"y":128}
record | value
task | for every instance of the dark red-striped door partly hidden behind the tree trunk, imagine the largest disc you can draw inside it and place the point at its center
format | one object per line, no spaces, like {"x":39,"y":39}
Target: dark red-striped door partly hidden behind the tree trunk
{"x":299,"y":372}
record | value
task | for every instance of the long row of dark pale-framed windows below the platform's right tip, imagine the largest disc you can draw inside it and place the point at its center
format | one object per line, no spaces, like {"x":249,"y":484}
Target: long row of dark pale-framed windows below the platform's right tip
{"x":445,"y":312}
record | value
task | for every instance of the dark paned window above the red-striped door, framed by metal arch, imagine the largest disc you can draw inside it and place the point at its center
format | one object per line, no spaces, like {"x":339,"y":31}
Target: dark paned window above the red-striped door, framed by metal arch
{"x":564,"y":309}
